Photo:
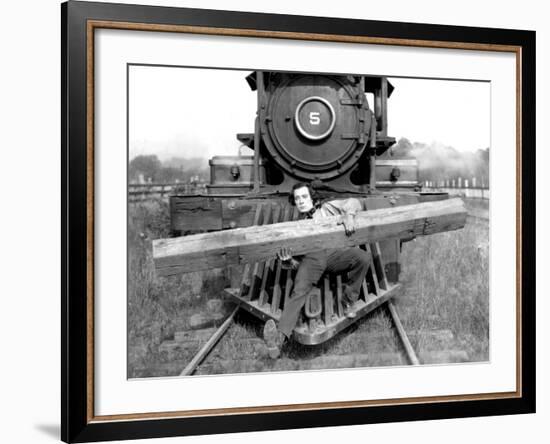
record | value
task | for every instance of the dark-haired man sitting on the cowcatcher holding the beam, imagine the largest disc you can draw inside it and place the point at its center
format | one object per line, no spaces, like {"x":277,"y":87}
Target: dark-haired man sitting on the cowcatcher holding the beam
{"x":312,"y":266}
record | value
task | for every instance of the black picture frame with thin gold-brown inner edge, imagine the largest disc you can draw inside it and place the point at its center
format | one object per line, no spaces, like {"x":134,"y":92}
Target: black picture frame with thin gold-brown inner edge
{"x":78,"y":423}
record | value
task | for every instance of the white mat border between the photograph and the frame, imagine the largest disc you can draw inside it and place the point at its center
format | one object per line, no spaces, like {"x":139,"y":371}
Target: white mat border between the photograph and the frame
{"x":116,"y":395}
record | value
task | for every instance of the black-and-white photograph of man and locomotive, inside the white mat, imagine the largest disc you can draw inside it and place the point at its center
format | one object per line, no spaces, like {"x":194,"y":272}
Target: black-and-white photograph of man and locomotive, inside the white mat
{"x":284,"y":221}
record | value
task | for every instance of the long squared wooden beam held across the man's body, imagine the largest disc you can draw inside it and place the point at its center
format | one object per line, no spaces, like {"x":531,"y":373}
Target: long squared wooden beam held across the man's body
{"x":244,"y":245}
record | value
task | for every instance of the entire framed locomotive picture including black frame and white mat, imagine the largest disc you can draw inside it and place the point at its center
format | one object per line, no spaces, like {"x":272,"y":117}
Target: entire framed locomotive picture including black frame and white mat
{"x":276,"y":221}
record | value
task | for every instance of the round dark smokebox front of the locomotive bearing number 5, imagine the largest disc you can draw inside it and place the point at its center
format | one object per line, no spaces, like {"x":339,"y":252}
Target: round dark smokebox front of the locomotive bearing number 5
{"x":316,"y":126}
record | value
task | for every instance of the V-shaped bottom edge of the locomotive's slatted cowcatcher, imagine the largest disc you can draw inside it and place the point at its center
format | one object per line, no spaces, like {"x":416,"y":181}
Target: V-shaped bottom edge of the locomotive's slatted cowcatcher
{"x":323,"y":332}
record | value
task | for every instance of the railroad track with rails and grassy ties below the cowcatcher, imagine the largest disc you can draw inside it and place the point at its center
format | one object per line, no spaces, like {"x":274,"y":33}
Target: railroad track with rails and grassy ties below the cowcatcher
{"x":377,"y":340}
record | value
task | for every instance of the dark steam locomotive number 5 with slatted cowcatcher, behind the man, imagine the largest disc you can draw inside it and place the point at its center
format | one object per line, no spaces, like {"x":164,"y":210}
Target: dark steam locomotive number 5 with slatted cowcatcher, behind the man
{"x":330,"y":130}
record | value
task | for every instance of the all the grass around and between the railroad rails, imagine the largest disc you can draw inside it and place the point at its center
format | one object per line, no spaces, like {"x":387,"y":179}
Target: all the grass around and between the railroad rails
{"x":444,"y":304}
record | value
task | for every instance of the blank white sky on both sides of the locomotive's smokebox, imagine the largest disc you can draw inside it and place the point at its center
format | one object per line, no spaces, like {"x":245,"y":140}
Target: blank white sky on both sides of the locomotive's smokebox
{"x":188,"y":112}
